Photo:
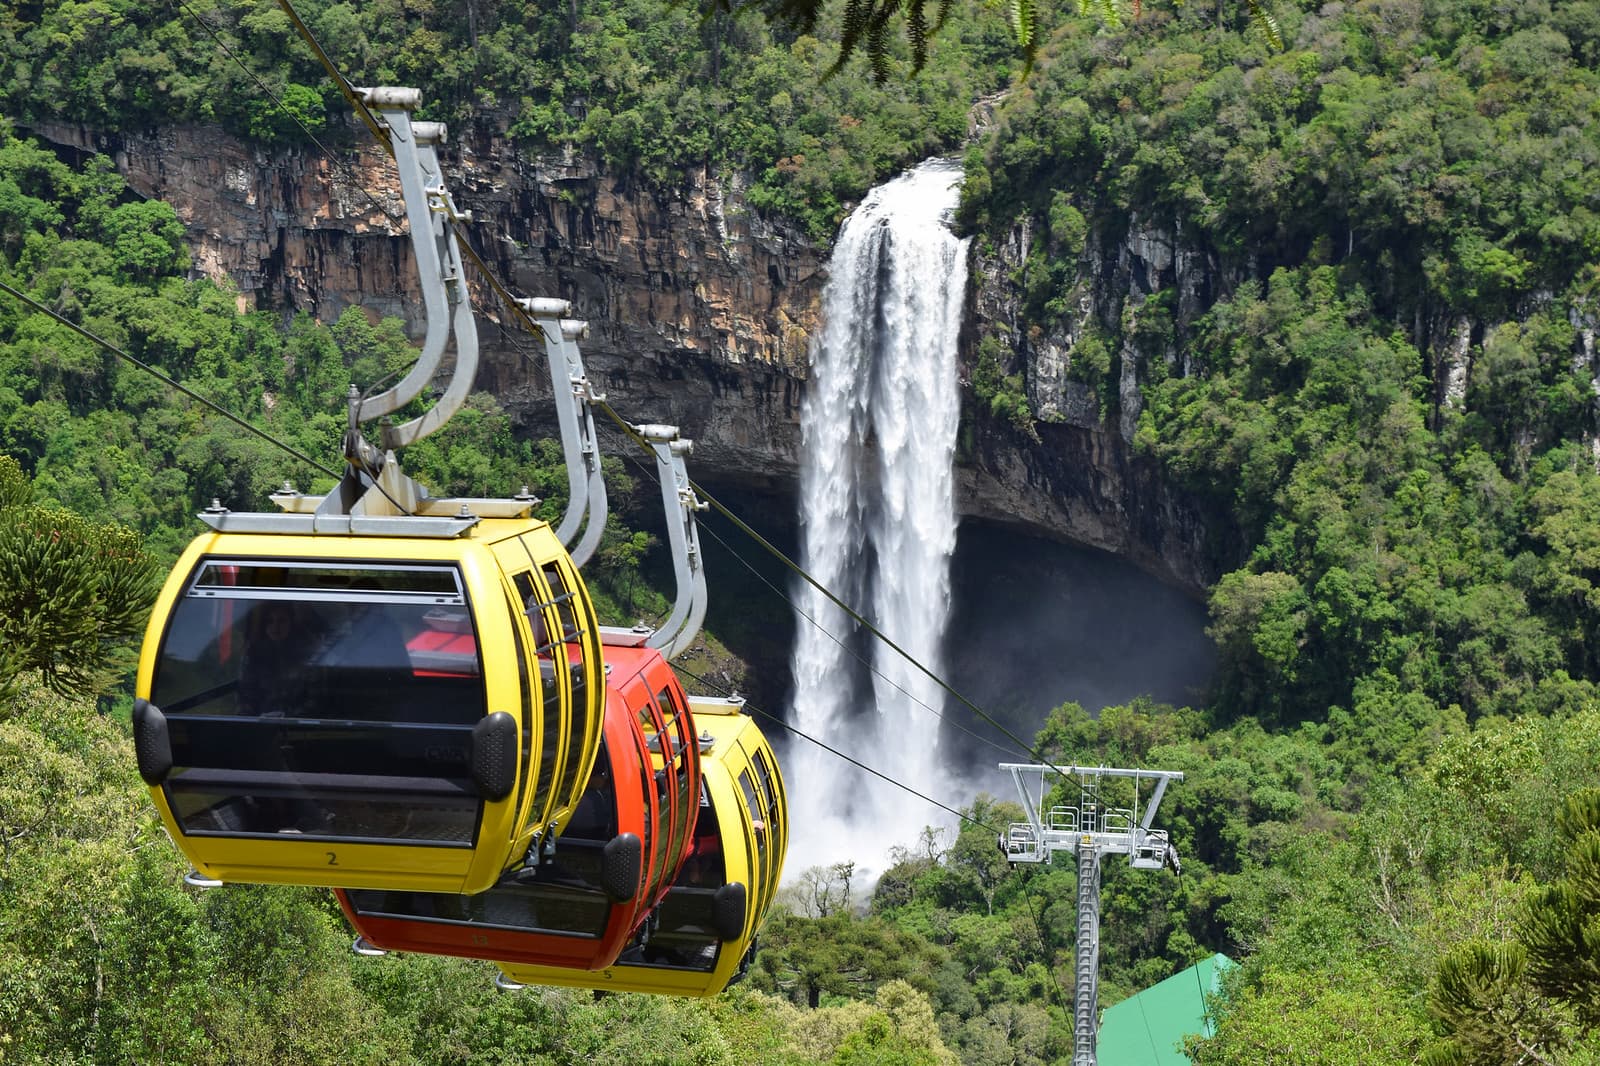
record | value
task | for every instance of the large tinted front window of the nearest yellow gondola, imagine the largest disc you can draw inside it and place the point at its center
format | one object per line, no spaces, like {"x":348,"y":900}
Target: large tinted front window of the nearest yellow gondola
{"x":330,"y":702}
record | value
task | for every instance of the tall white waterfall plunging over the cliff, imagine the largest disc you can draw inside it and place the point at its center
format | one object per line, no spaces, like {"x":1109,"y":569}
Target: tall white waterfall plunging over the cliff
{"x":878,"y":526}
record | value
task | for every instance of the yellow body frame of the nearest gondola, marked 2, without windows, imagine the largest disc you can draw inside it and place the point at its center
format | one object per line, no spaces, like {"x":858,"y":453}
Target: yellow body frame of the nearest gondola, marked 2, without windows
{"x":505,"y":827}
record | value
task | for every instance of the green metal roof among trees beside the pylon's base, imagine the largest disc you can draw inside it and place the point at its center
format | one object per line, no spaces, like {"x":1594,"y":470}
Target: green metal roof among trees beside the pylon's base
{"x":1148,"y":1028}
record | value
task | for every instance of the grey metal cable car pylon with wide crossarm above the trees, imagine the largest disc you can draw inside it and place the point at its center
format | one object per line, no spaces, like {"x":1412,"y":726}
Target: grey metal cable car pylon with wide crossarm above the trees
{"x":1089,"y":832}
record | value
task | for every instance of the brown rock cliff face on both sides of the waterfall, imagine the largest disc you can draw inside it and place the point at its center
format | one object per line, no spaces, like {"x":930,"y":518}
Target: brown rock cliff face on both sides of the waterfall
{"x":700,"y":313}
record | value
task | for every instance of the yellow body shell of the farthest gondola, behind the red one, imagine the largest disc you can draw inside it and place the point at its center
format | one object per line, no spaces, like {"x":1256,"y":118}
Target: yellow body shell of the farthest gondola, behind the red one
{"x":738,"y":743}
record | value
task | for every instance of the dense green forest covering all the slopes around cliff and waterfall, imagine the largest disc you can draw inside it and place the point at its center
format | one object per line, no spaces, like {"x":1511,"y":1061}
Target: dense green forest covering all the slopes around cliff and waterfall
{"x":1382,"y":387}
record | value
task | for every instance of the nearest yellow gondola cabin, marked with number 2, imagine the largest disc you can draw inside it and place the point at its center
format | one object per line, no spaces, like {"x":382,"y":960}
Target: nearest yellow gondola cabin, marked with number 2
{"x":414,"y":707}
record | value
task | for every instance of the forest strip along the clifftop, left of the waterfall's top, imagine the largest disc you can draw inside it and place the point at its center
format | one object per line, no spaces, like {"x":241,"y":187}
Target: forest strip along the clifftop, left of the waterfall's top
{"x":650,"y":89}
